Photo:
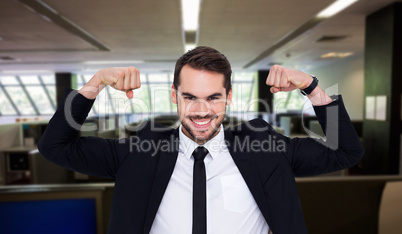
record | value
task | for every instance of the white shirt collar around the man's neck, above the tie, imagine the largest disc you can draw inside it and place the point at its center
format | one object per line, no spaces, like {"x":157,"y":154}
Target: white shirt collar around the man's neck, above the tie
{"x":214,"y":146}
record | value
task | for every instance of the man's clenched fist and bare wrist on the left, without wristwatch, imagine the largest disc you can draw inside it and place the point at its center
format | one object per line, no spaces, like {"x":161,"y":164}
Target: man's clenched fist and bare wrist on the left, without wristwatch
{"x":121,"y":78}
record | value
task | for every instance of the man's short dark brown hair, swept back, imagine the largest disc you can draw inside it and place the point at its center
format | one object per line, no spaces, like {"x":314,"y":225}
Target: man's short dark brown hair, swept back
{"x":204,"y":58}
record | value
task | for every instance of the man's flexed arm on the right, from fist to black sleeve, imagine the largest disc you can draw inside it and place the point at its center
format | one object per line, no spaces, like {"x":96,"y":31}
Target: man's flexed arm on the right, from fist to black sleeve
{"x":308,"y":156}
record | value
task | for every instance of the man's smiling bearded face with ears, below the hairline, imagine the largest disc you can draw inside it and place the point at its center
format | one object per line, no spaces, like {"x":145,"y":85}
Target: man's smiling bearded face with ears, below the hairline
{"x":201,"y":103}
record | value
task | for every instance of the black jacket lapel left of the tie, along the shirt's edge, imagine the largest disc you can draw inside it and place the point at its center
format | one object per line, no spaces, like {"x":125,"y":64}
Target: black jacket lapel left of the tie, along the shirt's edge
{"x":166,"y":164}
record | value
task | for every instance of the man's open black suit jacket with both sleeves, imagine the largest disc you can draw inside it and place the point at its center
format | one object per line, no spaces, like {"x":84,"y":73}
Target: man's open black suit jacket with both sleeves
{"x":268,"y":162}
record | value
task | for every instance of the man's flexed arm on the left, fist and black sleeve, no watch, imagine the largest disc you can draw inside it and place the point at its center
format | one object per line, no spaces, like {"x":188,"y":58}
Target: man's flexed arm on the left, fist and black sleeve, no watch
{"x":90,"y":155}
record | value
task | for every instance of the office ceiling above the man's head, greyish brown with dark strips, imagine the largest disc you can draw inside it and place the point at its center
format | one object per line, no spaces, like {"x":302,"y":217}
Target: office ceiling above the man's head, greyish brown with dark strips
{"x":150,"y":31}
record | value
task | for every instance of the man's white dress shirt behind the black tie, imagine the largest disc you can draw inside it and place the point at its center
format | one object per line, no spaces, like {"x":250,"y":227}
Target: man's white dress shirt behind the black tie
{"x":231,"y":207}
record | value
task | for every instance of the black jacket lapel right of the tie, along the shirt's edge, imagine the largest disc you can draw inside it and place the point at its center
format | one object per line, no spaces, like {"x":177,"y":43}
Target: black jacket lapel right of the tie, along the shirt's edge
{"x":248,"y":170}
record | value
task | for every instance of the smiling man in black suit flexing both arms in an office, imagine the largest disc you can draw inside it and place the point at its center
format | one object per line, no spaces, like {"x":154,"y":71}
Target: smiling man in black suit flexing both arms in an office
{"x":239,"y":185}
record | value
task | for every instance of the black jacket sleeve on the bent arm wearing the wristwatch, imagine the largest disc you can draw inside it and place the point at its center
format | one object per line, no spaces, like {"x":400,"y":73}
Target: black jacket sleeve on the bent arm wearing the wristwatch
{"x":341,"y":149}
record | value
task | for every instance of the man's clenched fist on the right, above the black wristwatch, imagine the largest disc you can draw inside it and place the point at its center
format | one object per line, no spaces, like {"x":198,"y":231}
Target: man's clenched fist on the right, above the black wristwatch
{"x":287,"y":79}
